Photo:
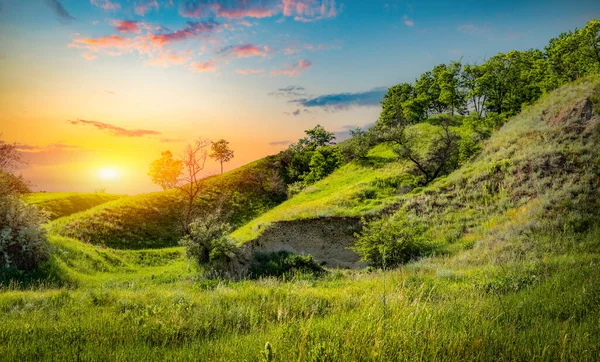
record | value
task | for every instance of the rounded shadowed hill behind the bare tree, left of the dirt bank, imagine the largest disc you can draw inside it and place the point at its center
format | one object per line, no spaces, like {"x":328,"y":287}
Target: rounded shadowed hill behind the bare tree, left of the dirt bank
{"x":152,"y":220}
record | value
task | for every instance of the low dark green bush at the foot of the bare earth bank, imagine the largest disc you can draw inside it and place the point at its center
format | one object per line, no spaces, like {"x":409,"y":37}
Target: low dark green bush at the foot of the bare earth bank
{"x":283,"y":264}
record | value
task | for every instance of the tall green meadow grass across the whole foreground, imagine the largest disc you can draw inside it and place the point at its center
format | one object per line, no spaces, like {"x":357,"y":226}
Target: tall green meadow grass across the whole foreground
{"x":531,"y":298}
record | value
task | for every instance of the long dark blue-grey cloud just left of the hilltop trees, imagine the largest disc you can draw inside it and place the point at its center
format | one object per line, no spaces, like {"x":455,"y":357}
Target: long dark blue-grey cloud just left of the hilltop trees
{"x":342,"y":101}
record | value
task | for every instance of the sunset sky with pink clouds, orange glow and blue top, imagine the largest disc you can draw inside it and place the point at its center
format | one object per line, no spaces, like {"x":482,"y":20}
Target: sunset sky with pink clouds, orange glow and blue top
{"x":93,"y":90}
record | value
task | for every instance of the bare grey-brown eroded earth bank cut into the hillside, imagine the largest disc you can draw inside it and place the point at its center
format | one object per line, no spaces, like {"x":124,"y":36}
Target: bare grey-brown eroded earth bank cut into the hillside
{"x":326,"y":239}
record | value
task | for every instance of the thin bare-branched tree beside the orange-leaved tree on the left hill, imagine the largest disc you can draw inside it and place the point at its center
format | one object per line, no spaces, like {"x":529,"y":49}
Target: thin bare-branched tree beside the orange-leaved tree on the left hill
{"x":194,"y":159}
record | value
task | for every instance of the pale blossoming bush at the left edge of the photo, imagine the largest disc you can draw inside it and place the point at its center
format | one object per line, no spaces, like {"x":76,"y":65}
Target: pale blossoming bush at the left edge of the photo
{"x":23,"y":243}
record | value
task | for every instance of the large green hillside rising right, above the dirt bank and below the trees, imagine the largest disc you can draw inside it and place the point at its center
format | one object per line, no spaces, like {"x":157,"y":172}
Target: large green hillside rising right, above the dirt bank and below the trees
{"x":536,"y":160}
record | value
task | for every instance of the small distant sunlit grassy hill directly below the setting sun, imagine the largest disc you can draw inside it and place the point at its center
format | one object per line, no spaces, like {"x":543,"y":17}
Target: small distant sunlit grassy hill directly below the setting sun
{"x":60,"y":204}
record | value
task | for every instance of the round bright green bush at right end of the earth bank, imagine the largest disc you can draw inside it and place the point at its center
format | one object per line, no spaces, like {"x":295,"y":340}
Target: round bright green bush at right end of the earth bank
{"x":391,"y":241}
